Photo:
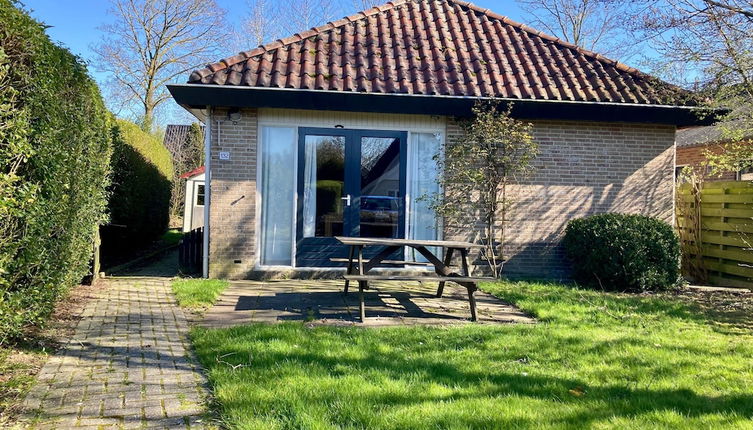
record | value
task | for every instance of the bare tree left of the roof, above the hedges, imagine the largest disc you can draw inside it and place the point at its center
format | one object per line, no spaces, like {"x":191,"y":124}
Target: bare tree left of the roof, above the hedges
{"x":155,"y":42}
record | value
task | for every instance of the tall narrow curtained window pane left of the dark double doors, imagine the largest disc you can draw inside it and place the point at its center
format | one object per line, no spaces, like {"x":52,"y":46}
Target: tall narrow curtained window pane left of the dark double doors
{"x":277,"y":191}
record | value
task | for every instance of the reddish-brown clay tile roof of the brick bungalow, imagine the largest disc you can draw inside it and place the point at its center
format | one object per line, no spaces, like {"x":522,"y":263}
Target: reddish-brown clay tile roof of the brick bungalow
{"x":438,"y":47}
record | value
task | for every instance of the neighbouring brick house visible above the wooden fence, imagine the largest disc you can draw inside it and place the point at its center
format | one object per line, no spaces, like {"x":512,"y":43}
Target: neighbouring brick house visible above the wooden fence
{"x":693,"y":144}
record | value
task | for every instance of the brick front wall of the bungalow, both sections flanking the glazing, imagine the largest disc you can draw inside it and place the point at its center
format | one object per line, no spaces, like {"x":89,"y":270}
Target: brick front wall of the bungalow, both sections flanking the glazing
{"x":583,"y":169}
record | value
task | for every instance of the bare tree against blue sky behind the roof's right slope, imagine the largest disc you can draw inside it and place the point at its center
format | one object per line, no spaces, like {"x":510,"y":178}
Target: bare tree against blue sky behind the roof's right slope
{"x":591,"y":24}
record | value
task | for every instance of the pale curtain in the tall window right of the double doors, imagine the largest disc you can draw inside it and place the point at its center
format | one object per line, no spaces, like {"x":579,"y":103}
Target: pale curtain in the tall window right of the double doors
{"x":423,"y":181}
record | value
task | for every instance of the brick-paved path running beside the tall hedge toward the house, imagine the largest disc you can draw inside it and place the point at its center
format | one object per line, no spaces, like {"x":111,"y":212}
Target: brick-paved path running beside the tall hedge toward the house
{"x":127,"y":365}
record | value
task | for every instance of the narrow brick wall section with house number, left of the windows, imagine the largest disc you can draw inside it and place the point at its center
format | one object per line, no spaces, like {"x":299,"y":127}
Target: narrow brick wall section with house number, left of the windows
{"x":232,"y":219}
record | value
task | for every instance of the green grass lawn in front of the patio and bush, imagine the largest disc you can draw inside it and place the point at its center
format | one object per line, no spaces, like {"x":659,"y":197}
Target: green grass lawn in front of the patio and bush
{"x":595,"y":360}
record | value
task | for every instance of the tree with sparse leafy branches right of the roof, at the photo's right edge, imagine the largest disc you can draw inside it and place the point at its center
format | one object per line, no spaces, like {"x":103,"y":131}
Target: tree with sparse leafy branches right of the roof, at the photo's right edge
{"x":715,"y":38}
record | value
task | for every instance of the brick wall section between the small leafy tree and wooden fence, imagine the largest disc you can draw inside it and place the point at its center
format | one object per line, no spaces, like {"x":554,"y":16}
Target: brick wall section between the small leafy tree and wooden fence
{"x":584,"y":169}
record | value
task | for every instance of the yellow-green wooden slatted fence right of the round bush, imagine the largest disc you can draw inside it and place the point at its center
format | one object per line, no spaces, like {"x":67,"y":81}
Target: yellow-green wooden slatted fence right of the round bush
{"x":715,"y":222}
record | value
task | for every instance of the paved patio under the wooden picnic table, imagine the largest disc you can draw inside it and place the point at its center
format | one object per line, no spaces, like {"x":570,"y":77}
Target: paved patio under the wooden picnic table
{"x":323,"y":302}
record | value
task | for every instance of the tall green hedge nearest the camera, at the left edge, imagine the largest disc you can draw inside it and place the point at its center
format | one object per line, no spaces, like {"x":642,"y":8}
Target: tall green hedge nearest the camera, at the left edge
{"x":55,"y":146}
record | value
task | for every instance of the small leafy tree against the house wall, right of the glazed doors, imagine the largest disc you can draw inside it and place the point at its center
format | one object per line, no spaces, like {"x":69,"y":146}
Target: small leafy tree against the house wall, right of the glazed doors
{"x":494,"y":151}
